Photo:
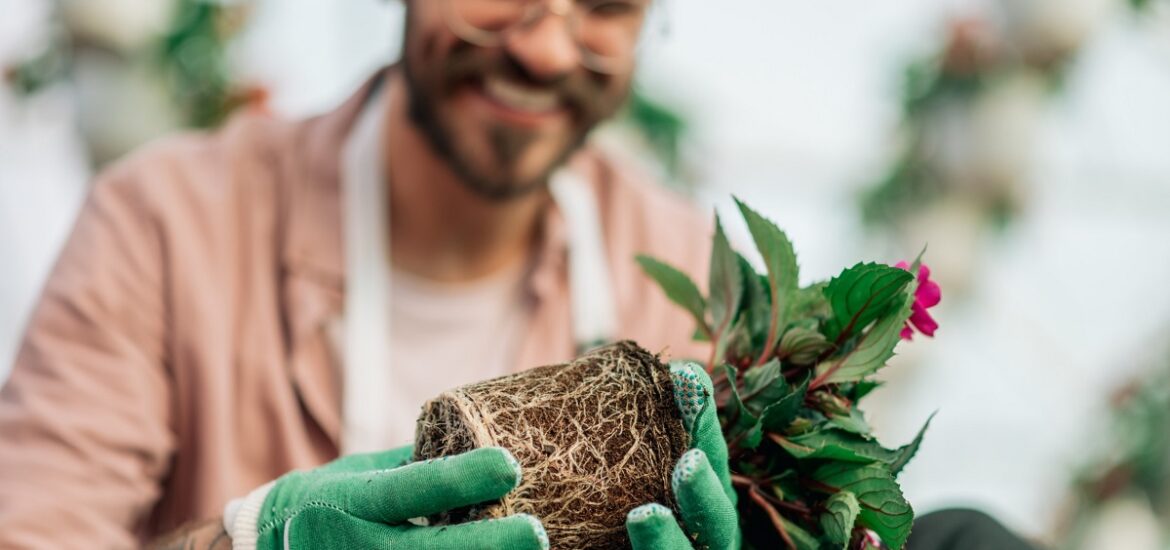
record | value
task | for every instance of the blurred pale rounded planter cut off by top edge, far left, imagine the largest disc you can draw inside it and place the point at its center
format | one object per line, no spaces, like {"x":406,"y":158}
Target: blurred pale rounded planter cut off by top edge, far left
{"x":122,"y":25}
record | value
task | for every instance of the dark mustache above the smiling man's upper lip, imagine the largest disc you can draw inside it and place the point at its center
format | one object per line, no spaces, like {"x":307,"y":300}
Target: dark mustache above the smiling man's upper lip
{"x":581,"y":91}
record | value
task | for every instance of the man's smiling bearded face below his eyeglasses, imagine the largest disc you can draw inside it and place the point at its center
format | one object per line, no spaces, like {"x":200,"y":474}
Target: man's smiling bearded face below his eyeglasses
{"x":504,"y":118}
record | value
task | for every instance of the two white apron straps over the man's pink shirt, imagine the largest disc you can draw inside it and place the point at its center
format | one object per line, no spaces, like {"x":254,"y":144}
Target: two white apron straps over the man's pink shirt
{"x":368,"y":368}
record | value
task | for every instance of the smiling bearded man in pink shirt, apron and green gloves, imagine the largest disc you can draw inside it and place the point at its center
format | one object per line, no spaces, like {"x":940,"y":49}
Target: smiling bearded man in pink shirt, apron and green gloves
{"x":242,"y":307}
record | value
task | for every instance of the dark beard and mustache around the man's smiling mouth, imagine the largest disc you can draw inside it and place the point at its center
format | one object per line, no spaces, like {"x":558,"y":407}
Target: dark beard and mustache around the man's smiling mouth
{"x":588,"y":98}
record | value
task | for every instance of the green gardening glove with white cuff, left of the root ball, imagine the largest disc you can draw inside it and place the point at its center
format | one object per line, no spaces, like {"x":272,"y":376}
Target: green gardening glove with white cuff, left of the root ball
{"x":369,"y":501}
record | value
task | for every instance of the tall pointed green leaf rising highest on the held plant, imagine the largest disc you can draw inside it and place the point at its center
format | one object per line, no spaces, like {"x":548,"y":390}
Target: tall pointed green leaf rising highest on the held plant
{"x":783,"y":273}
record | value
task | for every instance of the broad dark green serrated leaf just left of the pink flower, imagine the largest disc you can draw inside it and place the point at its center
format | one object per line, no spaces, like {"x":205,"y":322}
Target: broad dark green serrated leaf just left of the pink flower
{"x":861,"y":295}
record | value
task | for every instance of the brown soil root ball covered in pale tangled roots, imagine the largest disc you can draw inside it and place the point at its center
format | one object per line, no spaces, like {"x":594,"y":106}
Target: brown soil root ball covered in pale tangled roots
{"x":597,"y":438}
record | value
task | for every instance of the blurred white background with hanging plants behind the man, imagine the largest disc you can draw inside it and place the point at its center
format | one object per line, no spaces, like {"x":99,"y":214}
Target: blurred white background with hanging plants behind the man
{"x":1027,"y":142}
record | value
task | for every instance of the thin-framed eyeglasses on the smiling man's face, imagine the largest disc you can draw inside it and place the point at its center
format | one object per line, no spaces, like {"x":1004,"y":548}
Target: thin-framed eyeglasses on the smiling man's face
{"x":607,"y":31}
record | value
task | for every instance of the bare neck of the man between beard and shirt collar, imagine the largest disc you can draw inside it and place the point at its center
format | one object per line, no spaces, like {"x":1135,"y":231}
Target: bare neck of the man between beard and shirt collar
{"x":439,"y":228}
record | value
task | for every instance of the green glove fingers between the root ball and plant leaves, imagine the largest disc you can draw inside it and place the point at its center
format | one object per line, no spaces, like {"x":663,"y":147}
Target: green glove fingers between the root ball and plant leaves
{"x":701,"y":482}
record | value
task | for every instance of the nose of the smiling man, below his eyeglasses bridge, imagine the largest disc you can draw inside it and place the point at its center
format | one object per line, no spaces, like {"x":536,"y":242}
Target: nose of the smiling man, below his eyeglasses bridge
{"x":546,"y":49}
